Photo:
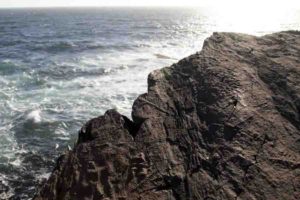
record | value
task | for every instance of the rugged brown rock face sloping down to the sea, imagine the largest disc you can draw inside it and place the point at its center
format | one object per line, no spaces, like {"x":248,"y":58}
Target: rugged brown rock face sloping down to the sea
{"x":223,"y":123}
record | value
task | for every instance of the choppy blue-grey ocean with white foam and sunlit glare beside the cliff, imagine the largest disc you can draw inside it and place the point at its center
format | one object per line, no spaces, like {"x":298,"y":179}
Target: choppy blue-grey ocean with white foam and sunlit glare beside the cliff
{"x":62,"y":67}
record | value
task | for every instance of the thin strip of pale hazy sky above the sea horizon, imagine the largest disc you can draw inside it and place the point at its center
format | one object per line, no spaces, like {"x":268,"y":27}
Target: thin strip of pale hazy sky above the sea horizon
{"x":215,"y":3}
